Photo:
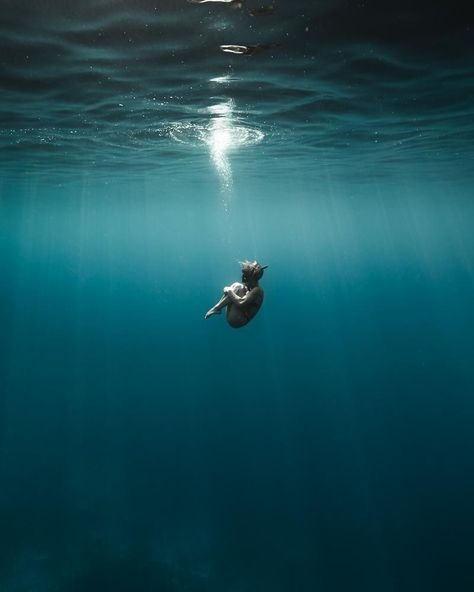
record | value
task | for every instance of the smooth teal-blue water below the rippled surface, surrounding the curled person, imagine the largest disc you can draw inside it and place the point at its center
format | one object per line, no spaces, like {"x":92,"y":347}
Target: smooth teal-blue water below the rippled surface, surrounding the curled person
{"x":327,"y":445}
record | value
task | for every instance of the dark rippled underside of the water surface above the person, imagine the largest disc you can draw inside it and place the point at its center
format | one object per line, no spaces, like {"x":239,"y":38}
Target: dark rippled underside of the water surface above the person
{"x":105,"y":84}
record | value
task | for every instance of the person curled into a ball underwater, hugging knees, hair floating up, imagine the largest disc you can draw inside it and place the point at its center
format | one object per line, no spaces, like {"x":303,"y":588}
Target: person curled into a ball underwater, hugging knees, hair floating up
{"x":242,"y":299}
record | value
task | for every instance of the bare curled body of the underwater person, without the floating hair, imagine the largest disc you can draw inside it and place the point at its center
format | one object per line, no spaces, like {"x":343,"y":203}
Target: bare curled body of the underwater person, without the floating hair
{"x":243,"y":301}
